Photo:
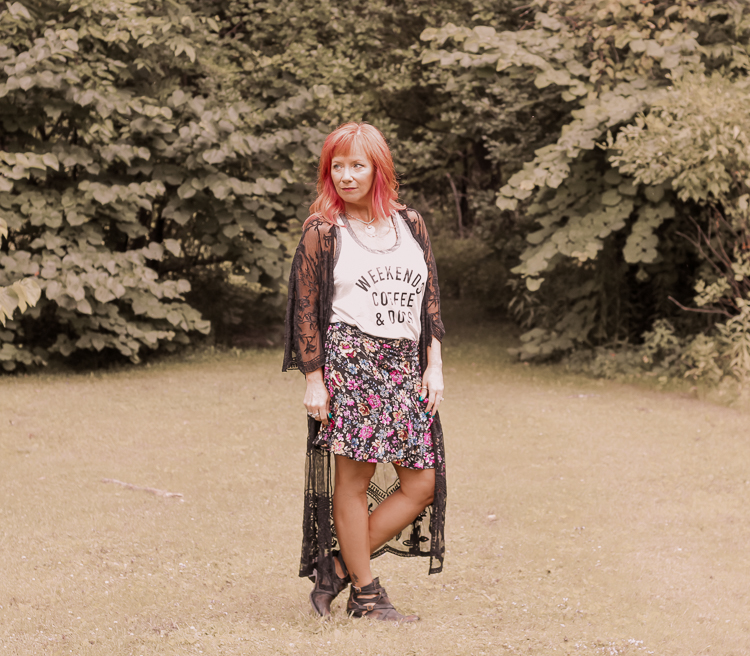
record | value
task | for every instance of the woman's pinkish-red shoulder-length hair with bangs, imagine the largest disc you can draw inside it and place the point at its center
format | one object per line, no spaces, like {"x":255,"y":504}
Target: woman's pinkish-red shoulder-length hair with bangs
{"x":342,"y":141}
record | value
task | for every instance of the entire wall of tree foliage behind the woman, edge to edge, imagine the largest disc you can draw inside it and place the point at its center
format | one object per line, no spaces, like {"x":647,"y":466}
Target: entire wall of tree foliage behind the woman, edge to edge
{"x":580,"y":162}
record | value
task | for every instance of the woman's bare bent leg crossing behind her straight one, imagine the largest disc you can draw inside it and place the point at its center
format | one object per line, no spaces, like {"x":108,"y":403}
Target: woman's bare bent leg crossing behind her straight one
{"x":400,"y":508}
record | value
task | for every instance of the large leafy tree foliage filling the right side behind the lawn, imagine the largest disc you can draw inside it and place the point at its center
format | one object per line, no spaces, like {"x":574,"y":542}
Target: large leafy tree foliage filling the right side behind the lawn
{"x":650,"y":151}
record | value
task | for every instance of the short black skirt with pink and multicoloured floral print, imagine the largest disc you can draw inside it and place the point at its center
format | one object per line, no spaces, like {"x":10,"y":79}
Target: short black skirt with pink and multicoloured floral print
{"x":374,"y":386}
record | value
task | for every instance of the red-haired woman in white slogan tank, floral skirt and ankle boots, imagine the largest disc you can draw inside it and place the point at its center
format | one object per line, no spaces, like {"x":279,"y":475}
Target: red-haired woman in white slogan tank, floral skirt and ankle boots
{"x":363,"y":324}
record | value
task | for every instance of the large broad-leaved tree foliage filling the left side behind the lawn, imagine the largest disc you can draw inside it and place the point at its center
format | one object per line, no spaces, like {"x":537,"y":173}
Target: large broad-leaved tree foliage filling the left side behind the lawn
{"x":127,"y":165}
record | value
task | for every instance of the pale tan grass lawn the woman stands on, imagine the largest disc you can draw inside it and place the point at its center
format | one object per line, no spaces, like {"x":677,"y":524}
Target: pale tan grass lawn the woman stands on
{"x":583,"y":517}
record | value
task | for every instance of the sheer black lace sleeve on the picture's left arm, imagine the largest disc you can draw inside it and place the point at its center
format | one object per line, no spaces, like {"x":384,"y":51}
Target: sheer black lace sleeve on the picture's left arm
{"x":303,"y":338}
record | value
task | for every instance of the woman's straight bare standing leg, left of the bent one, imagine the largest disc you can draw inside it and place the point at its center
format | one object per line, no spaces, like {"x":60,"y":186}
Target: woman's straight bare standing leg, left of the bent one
{"x":350,"y":516}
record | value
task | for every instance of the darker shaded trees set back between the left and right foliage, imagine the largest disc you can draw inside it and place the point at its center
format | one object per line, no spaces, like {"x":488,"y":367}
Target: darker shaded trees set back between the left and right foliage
{"x":324,"y":63}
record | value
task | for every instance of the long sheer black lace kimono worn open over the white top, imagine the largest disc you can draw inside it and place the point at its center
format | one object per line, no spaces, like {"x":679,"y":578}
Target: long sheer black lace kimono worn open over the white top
{"x":307,"y":317}
